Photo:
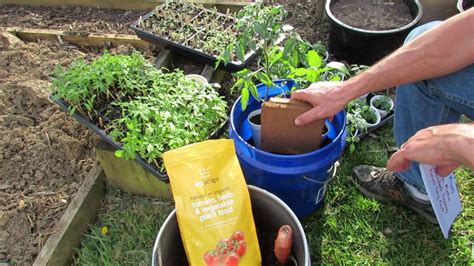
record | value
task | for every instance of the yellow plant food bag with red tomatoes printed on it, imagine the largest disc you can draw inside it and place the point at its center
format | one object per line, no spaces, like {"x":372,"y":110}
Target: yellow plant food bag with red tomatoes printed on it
{"x":212,"y":204}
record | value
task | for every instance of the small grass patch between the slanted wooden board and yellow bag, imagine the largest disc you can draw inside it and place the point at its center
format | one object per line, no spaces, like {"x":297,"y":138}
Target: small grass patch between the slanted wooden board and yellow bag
{"x":132,"y":222}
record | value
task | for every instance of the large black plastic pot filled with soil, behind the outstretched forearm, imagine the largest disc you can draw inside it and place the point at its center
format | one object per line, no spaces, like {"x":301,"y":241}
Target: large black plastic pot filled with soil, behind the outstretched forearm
{"x":360,"y":46}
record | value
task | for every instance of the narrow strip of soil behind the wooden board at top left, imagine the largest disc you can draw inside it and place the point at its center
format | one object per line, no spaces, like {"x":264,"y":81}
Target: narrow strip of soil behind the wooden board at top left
{"x":75,"y":18}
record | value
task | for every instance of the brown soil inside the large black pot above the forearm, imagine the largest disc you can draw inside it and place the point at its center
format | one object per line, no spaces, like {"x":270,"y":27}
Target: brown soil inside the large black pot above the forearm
{"x":374,"y":14}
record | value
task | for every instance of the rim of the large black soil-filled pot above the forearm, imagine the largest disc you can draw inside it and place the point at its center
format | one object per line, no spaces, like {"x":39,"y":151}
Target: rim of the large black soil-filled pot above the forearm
{"x":375,"y":32}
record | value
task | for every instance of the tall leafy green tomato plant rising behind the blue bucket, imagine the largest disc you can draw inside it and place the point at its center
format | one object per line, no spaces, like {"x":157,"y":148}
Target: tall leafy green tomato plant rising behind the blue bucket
{"x":284,"y":53}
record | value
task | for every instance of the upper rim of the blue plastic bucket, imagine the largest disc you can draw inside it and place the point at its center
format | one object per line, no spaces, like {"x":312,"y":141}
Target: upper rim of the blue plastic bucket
{"x":285,"y":156}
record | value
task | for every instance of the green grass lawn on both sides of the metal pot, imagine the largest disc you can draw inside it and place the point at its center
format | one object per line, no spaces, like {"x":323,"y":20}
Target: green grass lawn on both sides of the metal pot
{"x":349,"y":229}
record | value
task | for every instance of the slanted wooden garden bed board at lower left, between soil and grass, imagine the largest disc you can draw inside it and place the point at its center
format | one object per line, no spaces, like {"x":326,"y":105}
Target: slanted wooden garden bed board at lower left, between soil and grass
{"x":80,"y":213}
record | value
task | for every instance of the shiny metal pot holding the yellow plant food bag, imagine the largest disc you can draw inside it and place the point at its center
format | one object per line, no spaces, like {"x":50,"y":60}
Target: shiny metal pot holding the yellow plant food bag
{"x":269,"y":213}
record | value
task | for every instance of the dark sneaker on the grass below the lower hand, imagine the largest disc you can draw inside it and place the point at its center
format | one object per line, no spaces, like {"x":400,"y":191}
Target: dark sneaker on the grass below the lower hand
{"x":378,"y":183}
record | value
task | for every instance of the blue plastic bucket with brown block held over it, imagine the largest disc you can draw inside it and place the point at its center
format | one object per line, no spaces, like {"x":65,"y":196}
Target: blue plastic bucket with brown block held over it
{"x":299,"y":180}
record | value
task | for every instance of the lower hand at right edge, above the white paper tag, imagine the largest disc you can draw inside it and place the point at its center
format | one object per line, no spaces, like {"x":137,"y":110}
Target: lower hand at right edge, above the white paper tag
{"x":443,"y":146}
